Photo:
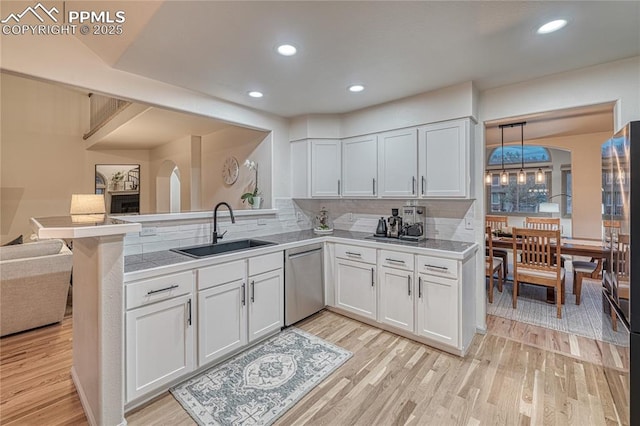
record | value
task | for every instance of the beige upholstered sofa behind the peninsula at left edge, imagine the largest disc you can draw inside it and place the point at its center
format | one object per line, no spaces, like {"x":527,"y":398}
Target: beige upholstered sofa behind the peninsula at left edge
{"x":34,"y":284}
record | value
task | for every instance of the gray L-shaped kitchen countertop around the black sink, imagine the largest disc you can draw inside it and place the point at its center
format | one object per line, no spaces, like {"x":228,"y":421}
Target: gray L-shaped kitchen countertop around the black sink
{"x":139,"y":262}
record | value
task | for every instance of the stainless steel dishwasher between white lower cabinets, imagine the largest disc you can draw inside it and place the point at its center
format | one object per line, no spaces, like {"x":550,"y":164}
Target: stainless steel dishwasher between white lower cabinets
{"x":303,"y":283}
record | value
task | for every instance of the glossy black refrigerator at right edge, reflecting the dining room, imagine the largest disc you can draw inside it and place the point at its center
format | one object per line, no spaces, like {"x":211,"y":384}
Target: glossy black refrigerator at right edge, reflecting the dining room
{"x":621,"y":281}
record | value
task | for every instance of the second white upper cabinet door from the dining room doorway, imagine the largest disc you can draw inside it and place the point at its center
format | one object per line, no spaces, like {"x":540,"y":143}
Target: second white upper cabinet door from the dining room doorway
{"x":398,"y":165}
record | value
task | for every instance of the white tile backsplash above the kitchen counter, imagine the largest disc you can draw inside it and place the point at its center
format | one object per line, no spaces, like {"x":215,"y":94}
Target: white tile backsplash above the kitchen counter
{"x":445,"y":220}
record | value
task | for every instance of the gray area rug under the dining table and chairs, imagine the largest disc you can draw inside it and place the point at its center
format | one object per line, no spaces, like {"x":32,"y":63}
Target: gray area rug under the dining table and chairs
{"x":586,"y":319}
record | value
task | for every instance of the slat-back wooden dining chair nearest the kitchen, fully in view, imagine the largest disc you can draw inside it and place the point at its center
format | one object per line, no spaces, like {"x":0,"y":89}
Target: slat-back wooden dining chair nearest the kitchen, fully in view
{"x":538,"y":250}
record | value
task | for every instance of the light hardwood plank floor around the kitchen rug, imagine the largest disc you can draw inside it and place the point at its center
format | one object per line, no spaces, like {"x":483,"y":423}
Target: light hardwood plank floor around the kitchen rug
{"x":515,"y":374}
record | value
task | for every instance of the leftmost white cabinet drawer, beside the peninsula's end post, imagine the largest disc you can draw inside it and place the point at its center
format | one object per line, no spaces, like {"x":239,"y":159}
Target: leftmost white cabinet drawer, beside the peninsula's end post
{"x":156,"y":289}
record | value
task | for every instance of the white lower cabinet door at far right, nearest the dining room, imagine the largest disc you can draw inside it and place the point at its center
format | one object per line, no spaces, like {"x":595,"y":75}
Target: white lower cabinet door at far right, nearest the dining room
{"x":438,"y":309}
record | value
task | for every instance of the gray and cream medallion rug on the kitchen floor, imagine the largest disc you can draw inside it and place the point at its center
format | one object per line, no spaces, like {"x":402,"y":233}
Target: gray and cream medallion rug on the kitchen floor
{"x":260,"y":385}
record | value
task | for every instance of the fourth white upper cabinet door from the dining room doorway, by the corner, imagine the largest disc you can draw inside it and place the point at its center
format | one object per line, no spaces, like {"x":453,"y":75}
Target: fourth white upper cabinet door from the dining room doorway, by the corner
{"x":326,"y":168}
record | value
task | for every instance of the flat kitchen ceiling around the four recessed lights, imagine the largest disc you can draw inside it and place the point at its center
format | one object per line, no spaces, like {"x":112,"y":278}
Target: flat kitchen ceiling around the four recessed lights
{"x":395,"y":49}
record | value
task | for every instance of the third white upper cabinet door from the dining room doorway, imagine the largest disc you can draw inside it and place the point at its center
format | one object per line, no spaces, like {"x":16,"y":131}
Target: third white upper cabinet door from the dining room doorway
{"x":360,"y":166}
